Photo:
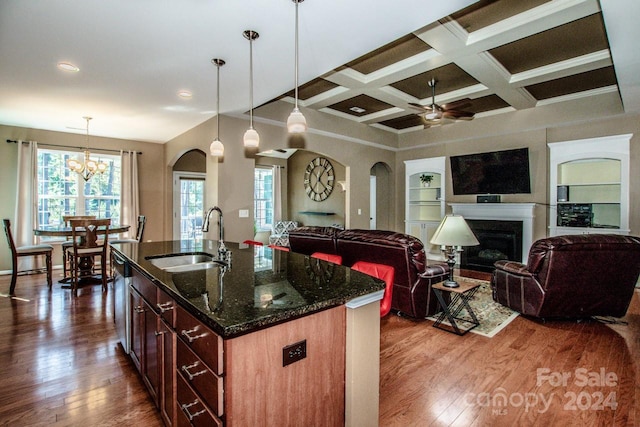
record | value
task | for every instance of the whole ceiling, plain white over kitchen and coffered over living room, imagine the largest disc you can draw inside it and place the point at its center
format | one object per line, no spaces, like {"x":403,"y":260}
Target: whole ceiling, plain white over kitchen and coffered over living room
{"x":366,"y":61}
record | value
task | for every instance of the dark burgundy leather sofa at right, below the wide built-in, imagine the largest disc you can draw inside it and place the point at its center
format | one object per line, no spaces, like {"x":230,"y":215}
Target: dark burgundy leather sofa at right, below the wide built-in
{"x":572,"y":276}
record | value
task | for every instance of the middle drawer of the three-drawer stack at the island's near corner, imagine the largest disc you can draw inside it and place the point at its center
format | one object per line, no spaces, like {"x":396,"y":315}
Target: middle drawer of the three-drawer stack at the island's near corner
{"x":207,"y":384}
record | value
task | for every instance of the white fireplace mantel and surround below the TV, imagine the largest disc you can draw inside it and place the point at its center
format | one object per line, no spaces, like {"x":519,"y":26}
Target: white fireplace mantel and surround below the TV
{"x":502,"y":211}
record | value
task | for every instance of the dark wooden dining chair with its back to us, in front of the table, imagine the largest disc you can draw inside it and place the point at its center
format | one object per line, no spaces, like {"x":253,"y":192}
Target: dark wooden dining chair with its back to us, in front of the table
{"x":86,"y":248}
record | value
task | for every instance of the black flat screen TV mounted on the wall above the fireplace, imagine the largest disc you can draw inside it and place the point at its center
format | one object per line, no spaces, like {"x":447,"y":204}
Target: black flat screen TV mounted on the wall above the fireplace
{"x":497,"y":172}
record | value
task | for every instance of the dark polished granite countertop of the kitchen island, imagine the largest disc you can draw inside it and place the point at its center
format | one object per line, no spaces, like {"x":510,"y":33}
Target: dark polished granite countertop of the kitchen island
{"x":262,"y":287}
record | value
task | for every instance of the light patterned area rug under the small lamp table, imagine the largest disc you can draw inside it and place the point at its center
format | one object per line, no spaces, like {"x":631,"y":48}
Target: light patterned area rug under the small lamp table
{"x":493,"y":317}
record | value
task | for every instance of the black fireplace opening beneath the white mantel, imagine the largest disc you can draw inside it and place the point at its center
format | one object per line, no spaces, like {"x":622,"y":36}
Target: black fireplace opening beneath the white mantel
{"x":498,"y":240}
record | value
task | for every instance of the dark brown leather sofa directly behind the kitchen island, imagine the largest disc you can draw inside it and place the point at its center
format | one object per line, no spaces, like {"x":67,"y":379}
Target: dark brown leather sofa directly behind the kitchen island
{"x":412,"y":294}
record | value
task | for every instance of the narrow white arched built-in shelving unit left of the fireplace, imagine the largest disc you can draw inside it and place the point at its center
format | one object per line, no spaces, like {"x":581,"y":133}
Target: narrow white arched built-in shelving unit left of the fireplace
{"x":424,"y":201}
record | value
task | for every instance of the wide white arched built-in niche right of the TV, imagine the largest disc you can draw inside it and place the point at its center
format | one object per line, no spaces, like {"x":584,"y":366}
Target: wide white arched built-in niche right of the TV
{"x":589,"y":186}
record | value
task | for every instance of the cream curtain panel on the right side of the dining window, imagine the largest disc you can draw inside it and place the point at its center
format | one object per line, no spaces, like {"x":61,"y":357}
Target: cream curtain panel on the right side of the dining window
{"x":129,"y":197}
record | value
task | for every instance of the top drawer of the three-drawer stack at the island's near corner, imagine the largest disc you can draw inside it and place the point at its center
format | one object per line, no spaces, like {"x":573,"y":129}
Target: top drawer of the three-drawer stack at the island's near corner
{"x":206,"y":344}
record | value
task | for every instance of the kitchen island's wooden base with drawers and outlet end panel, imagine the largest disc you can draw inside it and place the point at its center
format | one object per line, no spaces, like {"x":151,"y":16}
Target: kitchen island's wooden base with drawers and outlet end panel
{"x":197,"y":378}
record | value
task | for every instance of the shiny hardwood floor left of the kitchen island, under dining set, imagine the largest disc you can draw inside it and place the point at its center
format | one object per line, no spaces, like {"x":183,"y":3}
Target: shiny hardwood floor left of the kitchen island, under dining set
{"x":60,"y":363}
